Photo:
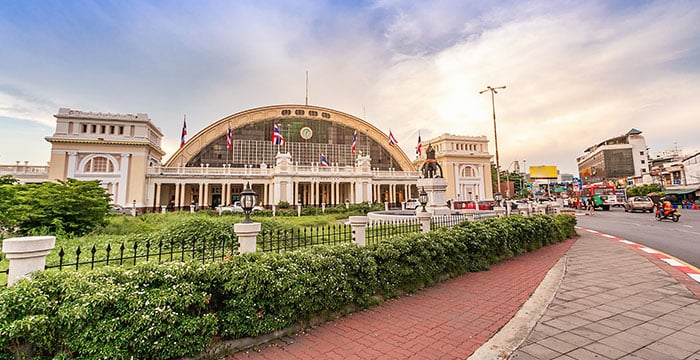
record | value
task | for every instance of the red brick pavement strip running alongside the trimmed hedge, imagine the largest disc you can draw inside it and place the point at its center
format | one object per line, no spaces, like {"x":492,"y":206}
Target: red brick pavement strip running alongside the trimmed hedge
{"x":447,"y":321}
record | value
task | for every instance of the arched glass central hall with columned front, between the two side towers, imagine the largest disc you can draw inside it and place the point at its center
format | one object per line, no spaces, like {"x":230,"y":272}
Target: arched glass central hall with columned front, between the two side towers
{"x":206,"y":172}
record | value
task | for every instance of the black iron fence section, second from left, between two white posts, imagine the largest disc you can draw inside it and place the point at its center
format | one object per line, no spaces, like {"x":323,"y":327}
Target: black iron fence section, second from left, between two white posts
{"x":284,"y":240}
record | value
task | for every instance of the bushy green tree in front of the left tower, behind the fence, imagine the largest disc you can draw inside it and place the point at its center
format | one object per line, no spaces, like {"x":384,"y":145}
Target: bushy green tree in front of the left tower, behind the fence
{"x":68,"y":207}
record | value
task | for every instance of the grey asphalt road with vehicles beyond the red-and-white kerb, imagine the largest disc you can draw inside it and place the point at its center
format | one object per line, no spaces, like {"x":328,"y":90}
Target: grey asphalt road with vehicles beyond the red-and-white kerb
{"x":680,"y":240}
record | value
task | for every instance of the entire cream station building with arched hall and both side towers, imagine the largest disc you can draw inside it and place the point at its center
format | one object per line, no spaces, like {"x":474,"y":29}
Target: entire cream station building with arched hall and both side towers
{"x":326,"y":157}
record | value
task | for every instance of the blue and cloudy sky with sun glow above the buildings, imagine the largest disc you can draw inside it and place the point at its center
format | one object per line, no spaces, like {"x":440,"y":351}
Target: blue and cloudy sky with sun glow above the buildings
{"x":576,"y":72}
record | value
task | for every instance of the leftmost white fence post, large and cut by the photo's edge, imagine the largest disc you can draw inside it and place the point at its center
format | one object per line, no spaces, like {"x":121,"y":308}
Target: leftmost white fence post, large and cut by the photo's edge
{"x":26,"y":255}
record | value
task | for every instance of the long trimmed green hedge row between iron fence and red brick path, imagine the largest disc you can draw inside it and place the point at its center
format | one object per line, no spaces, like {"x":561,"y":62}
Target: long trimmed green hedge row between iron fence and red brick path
{"x":180,"y":309}
